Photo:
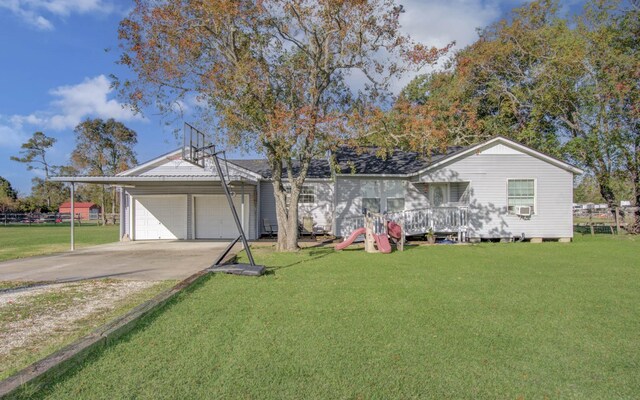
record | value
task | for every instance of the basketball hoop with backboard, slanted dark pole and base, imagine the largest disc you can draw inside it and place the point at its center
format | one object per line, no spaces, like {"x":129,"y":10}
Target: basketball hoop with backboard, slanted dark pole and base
{"x":196,"y":151}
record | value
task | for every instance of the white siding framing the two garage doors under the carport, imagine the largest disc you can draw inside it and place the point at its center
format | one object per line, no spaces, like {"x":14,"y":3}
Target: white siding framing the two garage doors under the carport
{"x":190,"y":191}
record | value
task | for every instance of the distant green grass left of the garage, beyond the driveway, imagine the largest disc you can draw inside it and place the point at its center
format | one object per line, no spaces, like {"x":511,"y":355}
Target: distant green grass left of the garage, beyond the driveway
{"x":27,"y":241}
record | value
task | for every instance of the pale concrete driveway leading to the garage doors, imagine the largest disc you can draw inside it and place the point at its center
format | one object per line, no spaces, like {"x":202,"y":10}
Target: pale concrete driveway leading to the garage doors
{"x":156,"y":260}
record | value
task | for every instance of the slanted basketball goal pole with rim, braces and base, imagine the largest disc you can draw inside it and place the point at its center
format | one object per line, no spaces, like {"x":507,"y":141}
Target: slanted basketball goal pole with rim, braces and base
{"x":197,"y":155}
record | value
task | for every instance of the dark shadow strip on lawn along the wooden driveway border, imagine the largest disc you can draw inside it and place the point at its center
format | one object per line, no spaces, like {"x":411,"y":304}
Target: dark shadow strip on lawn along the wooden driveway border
{"x":45,"y":388}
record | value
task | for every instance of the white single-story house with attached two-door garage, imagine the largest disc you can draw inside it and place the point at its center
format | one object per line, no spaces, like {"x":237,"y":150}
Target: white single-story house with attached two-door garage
{"x":495,"y":189}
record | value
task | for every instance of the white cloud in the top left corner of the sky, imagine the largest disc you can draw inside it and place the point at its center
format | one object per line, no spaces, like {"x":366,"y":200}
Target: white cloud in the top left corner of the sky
{"x":33,"y":11}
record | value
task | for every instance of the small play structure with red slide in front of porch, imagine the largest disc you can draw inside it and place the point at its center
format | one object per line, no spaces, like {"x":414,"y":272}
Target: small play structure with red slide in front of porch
{"x":376,"y":242}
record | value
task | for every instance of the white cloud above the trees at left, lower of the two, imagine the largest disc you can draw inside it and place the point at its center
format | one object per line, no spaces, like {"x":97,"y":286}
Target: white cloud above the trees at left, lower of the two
{"x":72,"y":104}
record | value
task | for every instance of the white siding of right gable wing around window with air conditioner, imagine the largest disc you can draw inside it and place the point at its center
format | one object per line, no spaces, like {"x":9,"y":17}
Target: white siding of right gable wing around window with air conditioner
{"x":488,"y":172}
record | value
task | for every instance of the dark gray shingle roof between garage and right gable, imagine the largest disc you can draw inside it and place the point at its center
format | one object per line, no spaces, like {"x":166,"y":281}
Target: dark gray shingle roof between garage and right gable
{"x":364,"y":161}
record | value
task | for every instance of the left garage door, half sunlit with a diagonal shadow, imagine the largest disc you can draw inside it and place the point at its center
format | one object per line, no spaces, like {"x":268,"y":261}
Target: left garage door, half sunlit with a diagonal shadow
{"x":160,"y":217}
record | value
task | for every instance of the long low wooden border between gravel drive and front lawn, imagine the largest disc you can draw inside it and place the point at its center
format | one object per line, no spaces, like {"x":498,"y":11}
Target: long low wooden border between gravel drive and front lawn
{"x":33,"y":377}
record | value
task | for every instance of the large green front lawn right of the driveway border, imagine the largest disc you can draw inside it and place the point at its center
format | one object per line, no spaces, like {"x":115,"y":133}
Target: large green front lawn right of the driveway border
{"x":479,"y":322}
